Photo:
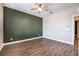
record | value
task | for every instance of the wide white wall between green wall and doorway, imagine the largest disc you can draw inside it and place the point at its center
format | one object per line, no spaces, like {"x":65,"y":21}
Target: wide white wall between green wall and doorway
{"x":55,"y":25}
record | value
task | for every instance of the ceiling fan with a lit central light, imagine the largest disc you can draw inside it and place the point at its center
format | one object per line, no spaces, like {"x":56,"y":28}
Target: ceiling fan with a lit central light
{"x":40,"y":7}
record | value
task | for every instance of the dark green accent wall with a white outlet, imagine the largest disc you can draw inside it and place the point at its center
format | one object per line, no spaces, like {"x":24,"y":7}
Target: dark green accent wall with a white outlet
{"x":19,"y":25}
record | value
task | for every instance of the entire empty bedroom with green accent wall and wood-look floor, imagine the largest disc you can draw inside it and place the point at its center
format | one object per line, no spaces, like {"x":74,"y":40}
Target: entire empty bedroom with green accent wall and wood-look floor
{"x":38,"y":29}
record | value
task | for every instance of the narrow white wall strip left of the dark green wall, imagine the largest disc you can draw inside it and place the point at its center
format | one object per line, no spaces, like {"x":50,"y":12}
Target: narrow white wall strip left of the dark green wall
{"x":1,"y":26}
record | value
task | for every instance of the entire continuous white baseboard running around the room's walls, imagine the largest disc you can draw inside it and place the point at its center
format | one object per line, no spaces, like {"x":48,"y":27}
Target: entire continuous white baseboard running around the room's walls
{"x":34,"y":39}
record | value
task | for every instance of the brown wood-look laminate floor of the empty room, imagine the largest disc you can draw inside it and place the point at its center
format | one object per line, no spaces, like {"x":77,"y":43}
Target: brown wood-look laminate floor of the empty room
{"x":39,"y":47}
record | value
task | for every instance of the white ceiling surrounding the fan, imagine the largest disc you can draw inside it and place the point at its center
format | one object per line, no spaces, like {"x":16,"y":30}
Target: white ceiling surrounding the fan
{"x":54,"y":7}
